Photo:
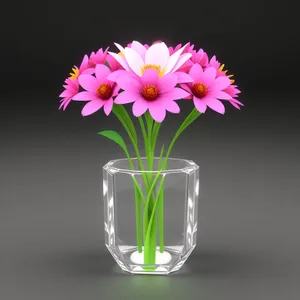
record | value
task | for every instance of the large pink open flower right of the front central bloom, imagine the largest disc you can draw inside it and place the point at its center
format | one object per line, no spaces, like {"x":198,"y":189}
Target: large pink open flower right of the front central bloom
{"x":207,"y":89}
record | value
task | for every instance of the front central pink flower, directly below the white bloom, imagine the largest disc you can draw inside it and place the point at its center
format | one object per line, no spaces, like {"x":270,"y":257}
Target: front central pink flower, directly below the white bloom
{"x":150,"y":92}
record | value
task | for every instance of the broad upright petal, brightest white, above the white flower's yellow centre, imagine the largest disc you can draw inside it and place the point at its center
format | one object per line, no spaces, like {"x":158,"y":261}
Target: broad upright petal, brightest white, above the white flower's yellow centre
{"x":157,"y":54}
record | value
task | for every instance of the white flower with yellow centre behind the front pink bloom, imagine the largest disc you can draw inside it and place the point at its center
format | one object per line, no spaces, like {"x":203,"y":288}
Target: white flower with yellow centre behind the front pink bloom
{"x":137,"y":59}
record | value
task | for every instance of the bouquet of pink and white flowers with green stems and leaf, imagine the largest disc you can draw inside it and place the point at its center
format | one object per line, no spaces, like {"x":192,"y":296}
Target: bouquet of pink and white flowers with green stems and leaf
{"x":155,"y":79}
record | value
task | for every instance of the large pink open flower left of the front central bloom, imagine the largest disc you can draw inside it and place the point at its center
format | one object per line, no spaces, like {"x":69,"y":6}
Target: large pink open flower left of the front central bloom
{"x":99,"y":91}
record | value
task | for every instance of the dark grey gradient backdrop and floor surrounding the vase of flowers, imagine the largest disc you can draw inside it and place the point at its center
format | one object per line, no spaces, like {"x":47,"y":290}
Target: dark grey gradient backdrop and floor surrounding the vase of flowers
{"x":51,"y":210}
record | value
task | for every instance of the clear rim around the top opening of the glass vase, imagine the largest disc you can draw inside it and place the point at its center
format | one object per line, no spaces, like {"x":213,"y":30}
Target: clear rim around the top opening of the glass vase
{"x":188,"y":167}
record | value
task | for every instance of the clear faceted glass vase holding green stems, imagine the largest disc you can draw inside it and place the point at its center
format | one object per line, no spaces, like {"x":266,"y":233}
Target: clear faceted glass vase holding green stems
{"x":150,"y":216}
